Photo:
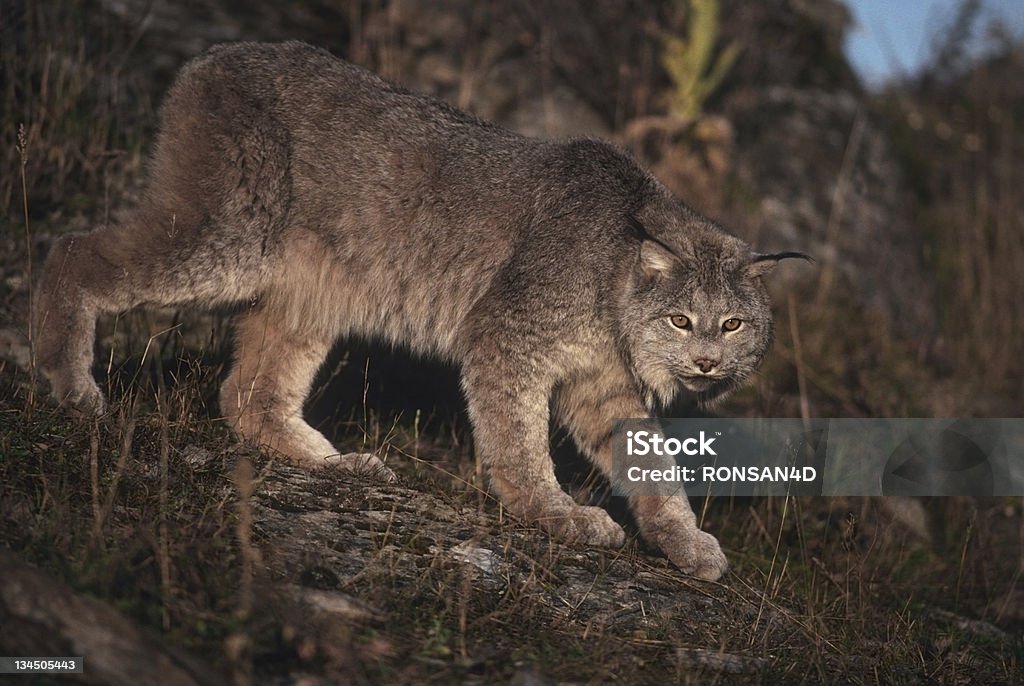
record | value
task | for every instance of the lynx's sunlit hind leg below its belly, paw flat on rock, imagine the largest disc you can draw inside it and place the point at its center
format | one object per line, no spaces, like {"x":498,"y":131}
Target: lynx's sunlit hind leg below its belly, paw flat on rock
{"x":263,"y":397}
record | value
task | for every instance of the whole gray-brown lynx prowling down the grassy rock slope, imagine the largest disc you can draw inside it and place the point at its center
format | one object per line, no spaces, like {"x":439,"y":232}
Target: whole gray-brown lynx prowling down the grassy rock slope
{"x":336,"y":203}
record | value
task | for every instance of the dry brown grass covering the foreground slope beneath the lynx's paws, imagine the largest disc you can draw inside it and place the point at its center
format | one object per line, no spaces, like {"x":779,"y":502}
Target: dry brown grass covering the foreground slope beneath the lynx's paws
{"x":133,"y":510}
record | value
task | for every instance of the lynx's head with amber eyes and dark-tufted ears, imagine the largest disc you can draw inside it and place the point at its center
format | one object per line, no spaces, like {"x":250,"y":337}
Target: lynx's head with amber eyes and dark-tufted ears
{"x":699,"y":315}
